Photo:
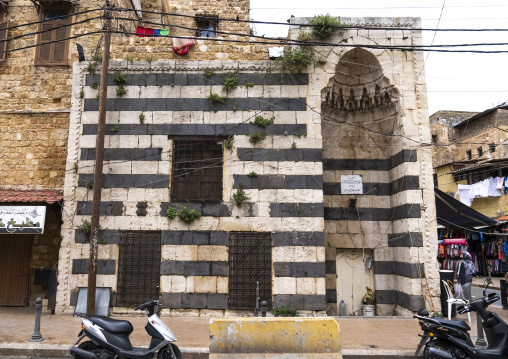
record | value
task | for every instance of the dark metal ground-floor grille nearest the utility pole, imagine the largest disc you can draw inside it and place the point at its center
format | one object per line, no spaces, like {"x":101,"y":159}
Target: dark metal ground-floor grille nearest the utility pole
{"x":138,"y":268}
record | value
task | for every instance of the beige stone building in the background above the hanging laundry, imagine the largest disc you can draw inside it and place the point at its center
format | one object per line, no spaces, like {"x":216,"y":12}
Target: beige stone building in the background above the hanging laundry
{"x":468,"y":148}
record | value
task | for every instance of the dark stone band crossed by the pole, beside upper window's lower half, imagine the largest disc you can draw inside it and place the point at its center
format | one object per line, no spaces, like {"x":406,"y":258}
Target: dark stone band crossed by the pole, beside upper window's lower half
{"x":128,"y":180}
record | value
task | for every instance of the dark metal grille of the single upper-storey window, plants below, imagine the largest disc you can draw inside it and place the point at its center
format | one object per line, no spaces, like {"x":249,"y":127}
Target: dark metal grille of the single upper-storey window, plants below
{"x":197,"y":171}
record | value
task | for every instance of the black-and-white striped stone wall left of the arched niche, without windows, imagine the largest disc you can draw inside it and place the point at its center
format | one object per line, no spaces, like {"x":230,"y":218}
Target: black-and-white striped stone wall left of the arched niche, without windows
{"x":285,"y":198}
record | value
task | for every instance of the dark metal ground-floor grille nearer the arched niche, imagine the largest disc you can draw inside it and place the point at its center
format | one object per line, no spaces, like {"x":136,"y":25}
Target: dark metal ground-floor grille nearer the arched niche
{"x":250,"y":261}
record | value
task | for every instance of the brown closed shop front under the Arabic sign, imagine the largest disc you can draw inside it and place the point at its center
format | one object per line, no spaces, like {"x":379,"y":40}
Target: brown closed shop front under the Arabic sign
{"x":15,"y":250}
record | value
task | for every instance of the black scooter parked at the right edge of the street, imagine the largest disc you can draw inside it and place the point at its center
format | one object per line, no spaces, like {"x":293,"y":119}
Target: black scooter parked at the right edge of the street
{"x":448,"y":339}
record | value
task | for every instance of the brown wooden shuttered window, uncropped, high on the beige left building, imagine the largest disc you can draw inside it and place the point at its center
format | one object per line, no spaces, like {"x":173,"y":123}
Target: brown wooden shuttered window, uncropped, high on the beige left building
{"x":54,"y":53}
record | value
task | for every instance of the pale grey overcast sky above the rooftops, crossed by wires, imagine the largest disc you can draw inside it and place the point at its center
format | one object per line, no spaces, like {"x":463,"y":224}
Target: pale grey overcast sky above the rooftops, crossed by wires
{"x":462,"y":82}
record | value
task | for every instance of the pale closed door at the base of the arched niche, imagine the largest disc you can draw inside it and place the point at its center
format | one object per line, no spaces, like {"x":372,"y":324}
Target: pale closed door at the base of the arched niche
{"x":352,"y":278}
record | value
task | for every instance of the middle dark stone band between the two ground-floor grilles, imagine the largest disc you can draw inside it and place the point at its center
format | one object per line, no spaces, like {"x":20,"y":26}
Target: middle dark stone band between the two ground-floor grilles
{"x":195,"y":268}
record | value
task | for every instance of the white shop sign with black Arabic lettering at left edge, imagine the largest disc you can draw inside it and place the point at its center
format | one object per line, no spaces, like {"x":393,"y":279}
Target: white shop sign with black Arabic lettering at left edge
{"x":22,"y":219}
